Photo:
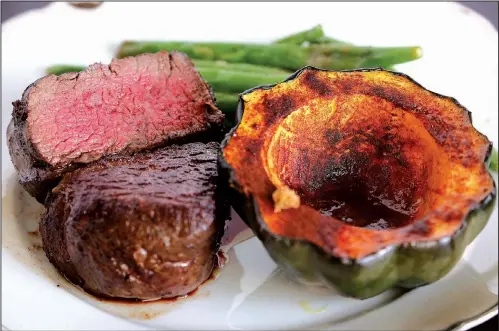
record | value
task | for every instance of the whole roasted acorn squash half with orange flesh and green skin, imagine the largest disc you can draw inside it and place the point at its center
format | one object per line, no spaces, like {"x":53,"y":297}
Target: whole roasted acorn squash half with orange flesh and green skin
{"x":361,"y":180}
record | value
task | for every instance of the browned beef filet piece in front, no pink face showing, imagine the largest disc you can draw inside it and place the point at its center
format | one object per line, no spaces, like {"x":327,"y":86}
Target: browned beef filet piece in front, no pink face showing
{"x":144,"y":226}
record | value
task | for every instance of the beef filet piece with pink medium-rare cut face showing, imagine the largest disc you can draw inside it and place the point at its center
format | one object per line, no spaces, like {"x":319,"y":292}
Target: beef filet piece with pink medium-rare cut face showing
{"x":133,"y":104}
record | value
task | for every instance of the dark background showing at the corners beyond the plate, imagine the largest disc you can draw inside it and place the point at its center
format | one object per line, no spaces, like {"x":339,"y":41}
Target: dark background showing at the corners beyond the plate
{"x":487,"y":9}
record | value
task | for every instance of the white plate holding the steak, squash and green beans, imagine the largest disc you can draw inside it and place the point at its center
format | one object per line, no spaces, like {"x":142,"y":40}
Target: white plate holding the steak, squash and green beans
{"x":461,"y":53}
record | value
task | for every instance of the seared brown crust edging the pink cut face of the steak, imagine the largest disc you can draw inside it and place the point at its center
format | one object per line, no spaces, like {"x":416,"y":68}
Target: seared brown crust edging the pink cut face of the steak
{"x":38,"y":176}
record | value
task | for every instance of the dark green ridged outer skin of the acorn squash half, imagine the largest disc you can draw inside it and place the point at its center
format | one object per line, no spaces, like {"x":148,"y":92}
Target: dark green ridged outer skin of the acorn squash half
{"x":407,"y":265}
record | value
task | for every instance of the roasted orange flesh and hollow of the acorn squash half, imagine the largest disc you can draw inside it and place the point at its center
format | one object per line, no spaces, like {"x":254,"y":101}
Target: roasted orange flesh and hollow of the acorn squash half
{"x":376,"y":160}
